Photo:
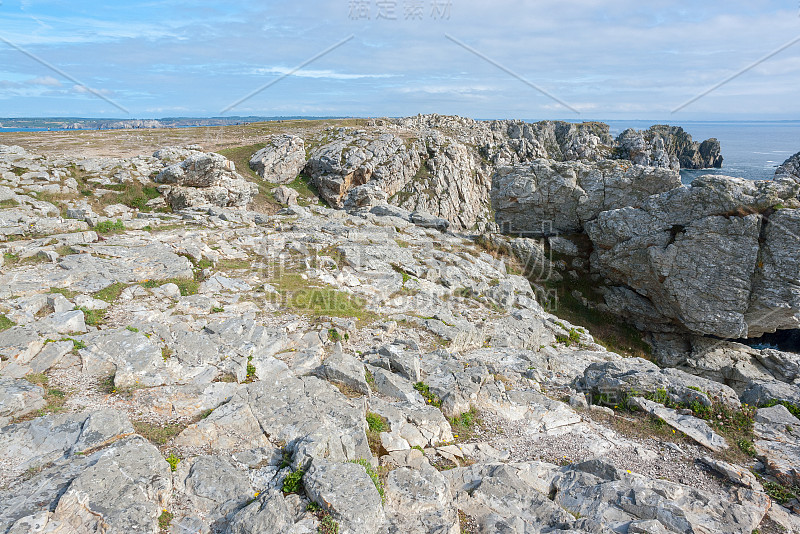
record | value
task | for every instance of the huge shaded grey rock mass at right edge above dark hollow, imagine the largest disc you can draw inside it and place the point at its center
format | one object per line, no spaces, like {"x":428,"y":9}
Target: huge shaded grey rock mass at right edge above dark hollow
{"x":711,"y":258}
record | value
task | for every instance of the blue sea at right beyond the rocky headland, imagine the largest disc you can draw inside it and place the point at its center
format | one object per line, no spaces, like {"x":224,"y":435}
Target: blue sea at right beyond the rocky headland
{"x":751,"y":149}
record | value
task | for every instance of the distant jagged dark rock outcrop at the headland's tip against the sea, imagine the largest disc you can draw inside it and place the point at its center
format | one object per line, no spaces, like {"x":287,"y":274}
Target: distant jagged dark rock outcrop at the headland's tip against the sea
{"x":670,"y":147}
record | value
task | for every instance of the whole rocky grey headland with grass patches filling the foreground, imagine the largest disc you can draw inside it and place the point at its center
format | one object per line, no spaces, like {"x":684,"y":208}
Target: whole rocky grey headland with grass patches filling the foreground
{"x":418,"y":325}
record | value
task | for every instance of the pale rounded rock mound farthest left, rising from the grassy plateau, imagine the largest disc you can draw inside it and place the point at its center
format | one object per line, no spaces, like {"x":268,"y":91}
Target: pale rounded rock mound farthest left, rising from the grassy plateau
{"x":204,"y":180}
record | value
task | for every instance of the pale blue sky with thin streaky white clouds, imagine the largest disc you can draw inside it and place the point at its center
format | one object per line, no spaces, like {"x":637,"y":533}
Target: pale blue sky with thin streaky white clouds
{"x":544,"y":59}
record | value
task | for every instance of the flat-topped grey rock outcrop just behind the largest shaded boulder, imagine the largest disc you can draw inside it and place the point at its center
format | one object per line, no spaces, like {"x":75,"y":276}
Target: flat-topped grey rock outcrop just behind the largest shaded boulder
{"x":548,"y":197}
